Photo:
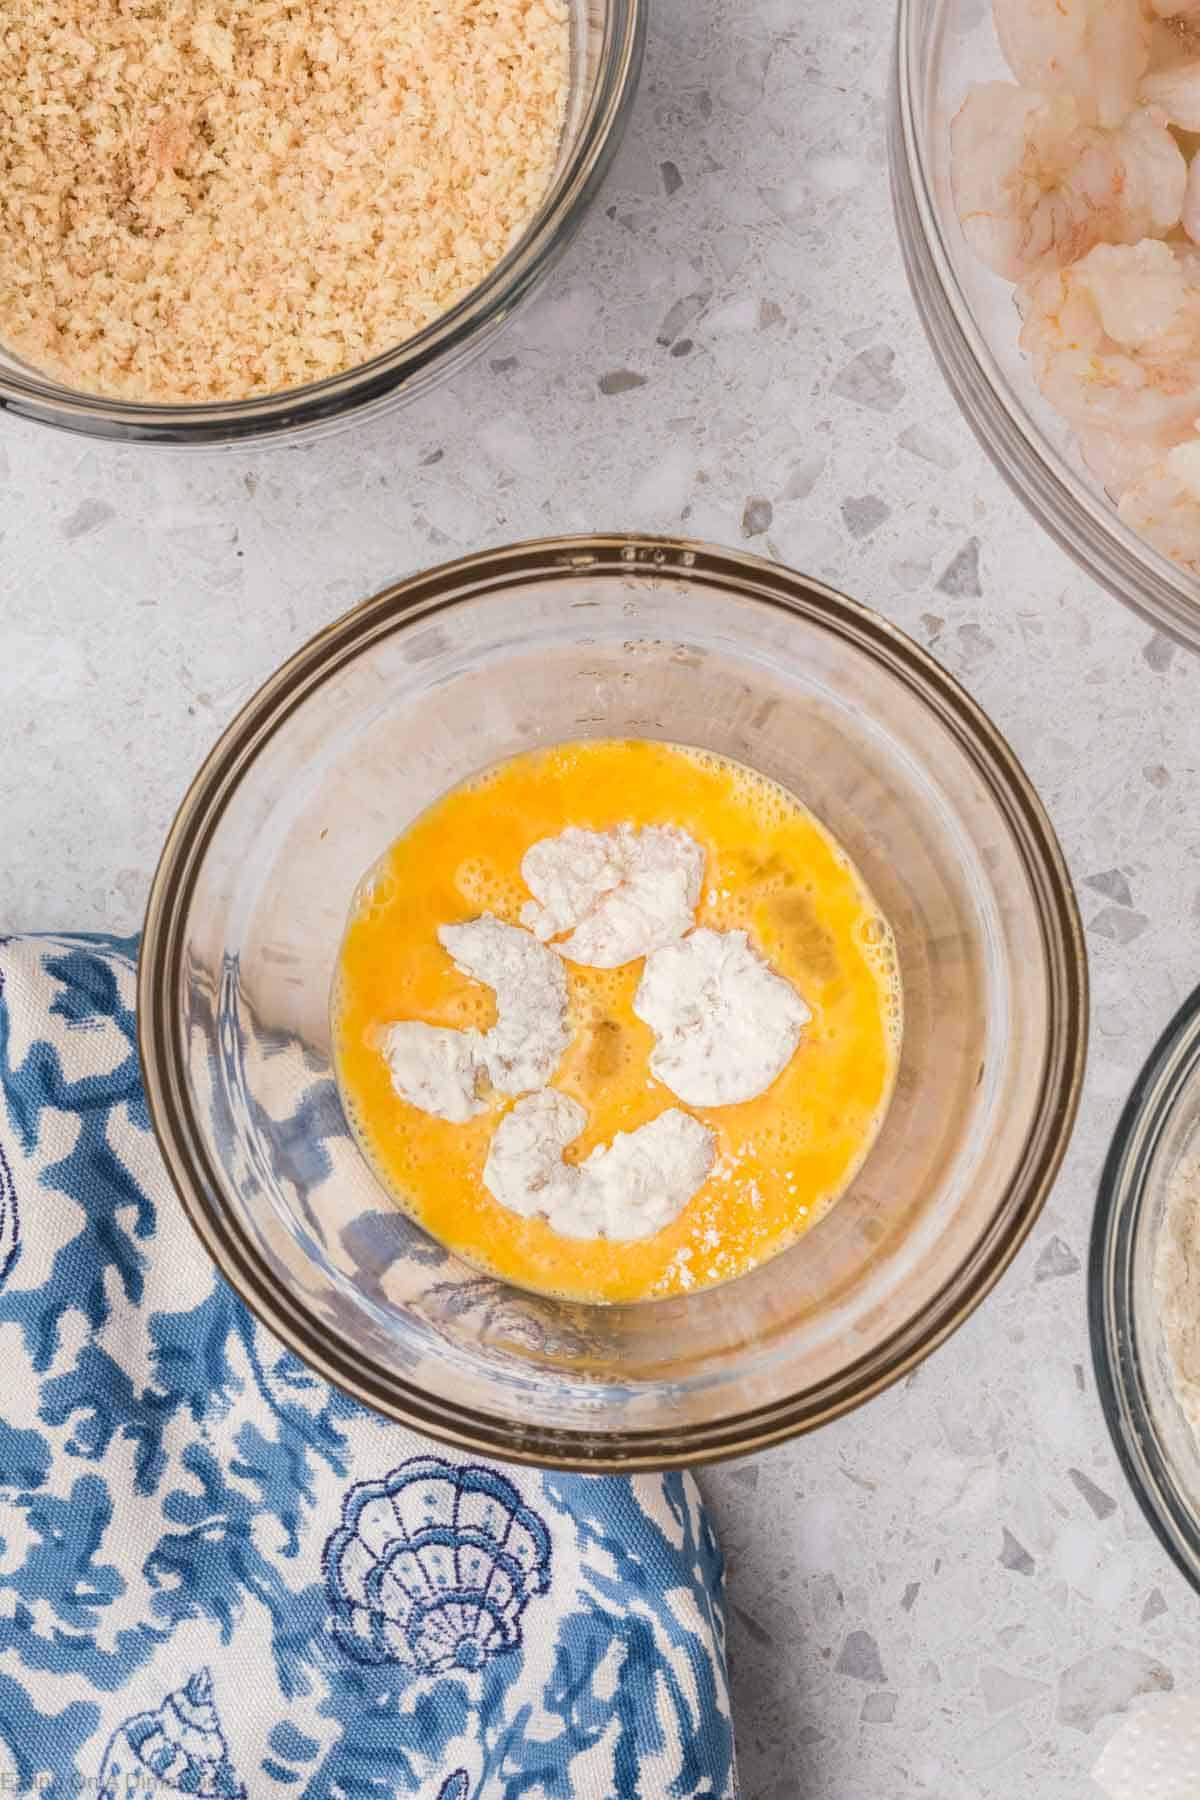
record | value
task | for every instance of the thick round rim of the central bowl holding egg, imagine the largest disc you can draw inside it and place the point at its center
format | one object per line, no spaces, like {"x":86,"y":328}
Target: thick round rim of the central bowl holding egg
{"x":456,"y":584}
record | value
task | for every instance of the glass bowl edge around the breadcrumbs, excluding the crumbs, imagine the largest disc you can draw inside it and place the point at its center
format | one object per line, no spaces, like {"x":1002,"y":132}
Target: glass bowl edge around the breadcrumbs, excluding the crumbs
{"x":605,"y":62}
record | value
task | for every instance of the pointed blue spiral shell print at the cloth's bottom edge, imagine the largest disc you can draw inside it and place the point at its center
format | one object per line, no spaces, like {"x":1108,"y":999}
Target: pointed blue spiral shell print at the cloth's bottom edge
{"x":179,"y":1749}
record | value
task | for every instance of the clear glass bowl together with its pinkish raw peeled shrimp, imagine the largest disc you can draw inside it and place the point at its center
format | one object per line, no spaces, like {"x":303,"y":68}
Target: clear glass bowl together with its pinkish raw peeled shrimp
{"x":1048,"y":204}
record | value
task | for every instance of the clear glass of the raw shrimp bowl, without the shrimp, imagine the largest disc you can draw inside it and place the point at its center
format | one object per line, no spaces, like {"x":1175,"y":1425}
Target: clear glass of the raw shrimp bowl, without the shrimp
{"x":972,"y":325}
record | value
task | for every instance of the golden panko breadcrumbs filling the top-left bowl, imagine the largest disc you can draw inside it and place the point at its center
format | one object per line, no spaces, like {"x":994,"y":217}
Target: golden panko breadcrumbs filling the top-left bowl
{"x":204,"y":201}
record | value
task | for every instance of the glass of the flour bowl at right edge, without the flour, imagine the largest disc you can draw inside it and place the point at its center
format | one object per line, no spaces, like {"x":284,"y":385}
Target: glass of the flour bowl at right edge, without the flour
{"x":1160,"y":1129}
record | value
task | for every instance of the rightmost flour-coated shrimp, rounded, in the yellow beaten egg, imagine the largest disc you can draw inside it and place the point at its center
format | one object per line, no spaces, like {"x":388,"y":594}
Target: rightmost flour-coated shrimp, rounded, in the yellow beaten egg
{"x":724,"y":1023}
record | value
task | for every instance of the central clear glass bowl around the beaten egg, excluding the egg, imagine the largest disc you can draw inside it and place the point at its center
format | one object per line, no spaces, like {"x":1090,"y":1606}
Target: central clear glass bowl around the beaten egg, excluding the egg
{"x":429,"y":683}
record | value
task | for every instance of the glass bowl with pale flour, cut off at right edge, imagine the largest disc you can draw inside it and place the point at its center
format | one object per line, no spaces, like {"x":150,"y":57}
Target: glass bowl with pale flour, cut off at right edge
{"x":1145,"y":1290}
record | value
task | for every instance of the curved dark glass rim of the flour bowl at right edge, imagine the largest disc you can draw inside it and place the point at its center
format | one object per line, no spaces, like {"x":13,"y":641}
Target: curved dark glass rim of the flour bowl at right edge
{"x":1124,"y":1187}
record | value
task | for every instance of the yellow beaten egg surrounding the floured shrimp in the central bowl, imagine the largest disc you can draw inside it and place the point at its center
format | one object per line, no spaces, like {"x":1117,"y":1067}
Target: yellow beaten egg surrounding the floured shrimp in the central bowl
{"x":771,"y":870}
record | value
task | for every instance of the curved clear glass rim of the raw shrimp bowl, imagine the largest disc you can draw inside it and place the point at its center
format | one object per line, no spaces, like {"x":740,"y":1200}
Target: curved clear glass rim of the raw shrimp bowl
{"x":1046,"y":485}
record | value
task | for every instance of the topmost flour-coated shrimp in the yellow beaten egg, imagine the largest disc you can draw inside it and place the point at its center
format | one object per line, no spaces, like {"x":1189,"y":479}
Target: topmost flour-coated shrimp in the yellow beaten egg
{"x":620,"y":894}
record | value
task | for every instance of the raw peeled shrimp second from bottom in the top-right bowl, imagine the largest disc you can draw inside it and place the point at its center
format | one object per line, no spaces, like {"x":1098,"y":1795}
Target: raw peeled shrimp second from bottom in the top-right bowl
{"x":1116,"y":341}
